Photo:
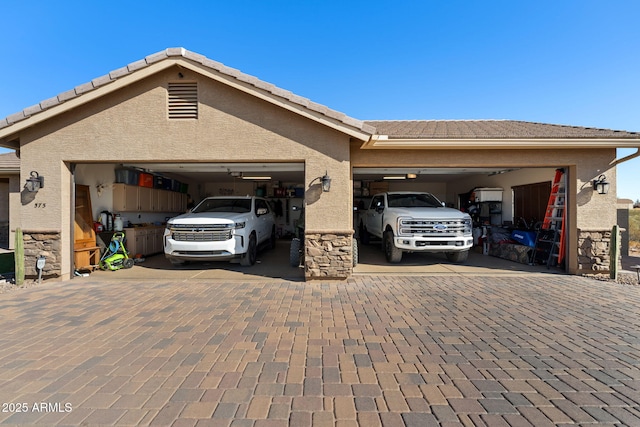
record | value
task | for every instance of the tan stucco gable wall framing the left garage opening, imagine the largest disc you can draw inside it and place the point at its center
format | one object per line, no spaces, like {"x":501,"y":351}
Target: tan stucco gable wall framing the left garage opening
{"x":132,"y":125}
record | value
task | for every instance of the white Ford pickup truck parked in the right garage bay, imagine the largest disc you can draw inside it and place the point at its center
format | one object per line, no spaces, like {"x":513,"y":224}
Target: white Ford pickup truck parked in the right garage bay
{"x":416,"y":222}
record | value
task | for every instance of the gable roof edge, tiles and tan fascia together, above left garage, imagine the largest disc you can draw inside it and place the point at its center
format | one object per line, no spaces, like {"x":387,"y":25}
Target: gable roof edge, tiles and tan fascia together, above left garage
{"x":159,"y":61}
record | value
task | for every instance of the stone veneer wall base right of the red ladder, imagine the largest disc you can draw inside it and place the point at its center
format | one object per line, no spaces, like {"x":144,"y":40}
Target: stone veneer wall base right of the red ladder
{"x":594,"y":251}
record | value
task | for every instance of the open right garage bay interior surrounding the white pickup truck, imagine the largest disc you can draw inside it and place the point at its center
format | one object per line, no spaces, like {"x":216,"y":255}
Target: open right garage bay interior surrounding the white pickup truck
{"x":507,"y":207}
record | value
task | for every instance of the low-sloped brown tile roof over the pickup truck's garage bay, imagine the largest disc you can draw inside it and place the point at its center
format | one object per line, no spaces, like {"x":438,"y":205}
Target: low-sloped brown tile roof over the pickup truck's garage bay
{"x":489,"y":129}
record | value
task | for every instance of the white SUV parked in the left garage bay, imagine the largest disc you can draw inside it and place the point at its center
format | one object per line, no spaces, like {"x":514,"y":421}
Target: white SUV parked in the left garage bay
{"x":221,"y":228}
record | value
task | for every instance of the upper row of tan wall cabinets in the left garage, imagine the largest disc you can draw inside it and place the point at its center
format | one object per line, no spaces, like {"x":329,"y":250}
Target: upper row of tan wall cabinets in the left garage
{"x":132,"y":198}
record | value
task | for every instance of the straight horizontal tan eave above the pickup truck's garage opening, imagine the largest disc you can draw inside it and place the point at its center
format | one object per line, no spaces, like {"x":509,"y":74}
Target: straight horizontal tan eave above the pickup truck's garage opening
{"x":382,"y":142}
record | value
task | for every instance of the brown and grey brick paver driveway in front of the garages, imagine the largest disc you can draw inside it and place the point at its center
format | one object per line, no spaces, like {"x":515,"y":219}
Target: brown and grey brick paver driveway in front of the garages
{"x":416,"y":351}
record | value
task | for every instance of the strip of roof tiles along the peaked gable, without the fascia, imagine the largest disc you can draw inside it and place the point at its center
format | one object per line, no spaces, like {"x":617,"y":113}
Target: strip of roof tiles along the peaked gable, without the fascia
{"x":191,"y":56}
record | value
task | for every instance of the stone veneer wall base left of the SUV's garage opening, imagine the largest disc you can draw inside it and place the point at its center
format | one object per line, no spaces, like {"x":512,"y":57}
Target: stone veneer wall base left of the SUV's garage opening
{"x":42,"y":243}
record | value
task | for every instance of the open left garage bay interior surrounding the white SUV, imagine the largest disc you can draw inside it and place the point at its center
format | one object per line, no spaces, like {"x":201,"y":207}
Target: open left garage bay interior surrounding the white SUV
{"x":119,"y":191}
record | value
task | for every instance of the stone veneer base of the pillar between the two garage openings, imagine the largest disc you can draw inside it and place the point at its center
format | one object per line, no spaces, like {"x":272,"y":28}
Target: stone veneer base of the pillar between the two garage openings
{"x":328,"y":254}
